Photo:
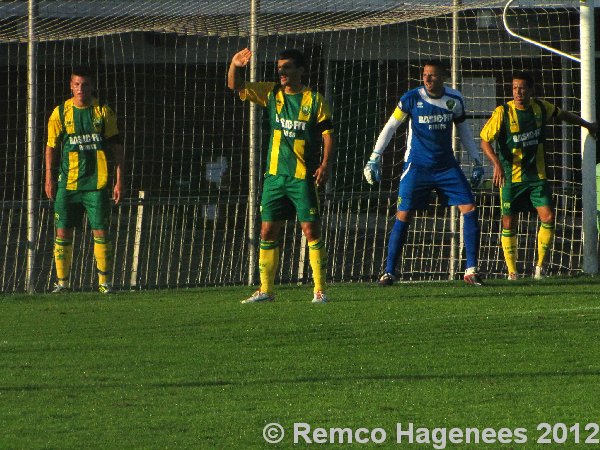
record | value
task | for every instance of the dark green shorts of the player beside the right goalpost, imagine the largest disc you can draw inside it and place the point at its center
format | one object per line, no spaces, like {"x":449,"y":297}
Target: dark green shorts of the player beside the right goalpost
{"x":522,"y":196}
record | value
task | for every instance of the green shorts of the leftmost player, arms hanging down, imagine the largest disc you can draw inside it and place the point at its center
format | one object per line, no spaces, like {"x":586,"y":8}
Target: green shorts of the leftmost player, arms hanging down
{"x":70,"y":205}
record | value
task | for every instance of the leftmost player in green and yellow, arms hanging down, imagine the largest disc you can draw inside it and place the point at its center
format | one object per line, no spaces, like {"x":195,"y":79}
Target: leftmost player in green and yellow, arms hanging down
{"x":81,"y":131}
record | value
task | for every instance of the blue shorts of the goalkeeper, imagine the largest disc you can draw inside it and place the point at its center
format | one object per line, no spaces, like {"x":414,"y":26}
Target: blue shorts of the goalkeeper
{"x":417,"y":182}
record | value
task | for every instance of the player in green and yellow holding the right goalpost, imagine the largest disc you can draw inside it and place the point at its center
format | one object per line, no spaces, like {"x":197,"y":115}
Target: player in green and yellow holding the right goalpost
{"x":519,"y":129}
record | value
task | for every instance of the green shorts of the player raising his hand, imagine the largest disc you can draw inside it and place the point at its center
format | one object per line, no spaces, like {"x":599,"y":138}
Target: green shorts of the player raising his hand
{"x":283,"y":196}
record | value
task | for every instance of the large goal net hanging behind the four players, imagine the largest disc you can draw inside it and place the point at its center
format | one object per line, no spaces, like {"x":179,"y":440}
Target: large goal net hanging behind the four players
{"x":161,"y":65}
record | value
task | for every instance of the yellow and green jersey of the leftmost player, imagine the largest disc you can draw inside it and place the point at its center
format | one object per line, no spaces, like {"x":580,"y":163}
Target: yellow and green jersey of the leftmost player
{"x":81,"y":134}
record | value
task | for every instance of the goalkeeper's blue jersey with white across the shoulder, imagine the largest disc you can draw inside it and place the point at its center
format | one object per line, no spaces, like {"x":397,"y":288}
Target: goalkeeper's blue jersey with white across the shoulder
{"x":429,"y":141}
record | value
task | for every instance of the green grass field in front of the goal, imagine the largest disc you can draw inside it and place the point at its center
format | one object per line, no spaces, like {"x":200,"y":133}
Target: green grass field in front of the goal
{"x":195,"y":369}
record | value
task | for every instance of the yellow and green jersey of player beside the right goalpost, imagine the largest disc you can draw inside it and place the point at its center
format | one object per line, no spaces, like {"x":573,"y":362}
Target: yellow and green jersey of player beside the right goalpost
{"x":520,"y":135}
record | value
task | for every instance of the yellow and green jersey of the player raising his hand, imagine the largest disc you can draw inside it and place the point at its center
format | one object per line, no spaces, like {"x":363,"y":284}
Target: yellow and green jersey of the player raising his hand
{"x":297,"y":123}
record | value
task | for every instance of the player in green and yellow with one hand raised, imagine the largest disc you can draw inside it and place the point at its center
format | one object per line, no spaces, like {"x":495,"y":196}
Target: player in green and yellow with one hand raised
{"x":300,"y":120}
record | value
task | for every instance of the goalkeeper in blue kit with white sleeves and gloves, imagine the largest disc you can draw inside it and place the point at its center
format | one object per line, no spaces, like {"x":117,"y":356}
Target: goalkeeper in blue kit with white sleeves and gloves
{"x":429,"y":163}
